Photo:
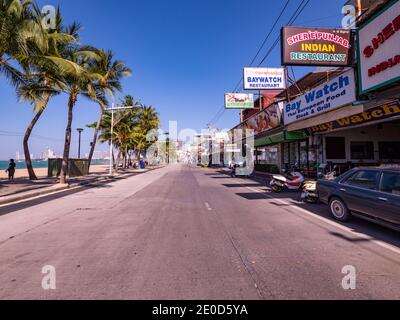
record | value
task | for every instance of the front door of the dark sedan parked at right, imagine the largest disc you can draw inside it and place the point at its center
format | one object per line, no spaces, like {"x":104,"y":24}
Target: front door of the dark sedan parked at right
{"x":359,"y":191}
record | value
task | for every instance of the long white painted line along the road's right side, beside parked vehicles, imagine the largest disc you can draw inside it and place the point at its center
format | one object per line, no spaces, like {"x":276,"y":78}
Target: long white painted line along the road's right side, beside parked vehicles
{"x":330,"y":222}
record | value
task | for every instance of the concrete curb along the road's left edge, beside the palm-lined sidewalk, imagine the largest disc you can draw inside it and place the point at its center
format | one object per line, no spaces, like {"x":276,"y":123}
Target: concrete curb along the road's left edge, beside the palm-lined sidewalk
{"x":56,"y":188}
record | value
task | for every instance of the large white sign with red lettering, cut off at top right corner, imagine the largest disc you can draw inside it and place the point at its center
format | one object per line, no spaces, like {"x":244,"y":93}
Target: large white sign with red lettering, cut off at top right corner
{"x":379,"y":46}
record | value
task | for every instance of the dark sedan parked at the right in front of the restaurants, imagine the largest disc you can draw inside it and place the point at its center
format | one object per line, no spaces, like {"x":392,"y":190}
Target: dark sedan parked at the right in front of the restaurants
{"x":368,"y":193}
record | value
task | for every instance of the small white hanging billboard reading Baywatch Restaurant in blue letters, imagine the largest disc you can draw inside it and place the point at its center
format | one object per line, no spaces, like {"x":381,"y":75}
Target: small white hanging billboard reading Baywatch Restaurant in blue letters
{"x":264,"y":79}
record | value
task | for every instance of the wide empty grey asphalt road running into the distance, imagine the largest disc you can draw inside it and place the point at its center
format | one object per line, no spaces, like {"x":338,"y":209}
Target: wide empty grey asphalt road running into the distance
{"x":188,"y":233}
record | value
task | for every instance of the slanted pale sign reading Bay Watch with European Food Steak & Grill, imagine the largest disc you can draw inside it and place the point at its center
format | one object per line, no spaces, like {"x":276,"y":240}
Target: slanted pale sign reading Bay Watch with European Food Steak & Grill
{"x":329,"y":96}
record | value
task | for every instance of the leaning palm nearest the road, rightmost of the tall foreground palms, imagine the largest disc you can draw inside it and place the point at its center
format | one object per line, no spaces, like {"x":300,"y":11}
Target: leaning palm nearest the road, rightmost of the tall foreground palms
{"x":111,"y":71}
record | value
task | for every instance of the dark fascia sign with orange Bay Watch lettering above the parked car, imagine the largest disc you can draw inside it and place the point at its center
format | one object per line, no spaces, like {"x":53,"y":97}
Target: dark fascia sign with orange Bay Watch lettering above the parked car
{"x":386,"y":111}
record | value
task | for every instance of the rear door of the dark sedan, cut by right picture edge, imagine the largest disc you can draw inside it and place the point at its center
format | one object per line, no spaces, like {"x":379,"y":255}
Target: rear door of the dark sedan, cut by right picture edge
{"x":389,"y":198}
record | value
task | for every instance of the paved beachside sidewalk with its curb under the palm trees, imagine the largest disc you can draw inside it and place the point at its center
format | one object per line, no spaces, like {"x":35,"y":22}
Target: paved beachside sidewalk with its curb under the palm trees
{"x":23,"y":189}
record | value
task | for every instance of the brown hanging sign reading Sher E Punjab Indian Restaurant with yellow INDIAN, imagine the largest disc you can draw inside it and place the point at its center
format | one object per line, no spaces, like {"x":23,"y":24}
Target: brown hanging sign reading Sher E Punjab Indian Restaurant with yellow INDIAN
{"x":316,"y":47}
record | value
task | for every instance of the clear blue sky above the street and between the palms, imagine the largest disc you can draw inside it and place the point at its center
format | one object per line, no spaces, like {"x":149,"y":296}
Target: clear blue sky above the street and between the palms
{"x":185,"y":54}
